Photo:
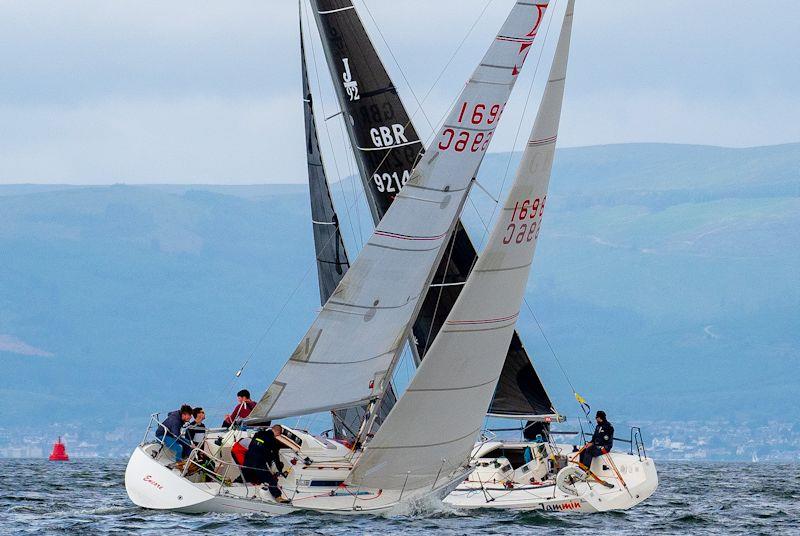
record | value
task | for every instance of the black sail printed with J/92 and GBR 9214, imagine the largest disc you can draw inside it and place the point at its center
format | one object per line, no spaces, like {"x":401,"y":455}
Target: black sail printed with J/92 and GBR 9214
{"x":386,"y":147}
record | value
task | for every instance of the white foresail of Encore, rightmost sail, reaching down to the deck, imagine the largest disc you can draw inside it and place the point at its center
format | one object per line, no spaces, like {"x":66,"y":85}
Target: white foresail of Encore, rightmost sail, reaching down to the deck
{"x":455,"y":382}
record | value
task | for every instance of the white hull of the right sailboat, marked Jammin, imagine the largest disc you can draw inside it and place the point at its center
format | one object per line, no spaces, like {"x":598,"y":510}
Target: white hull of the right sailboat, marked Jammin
{"x":492,"y":487}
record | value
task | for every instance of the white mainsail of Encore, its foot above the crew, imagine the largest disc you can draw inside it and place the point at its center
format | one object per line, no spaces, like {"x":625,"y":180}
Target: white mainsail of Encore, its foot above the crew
{"x":347,"y":355}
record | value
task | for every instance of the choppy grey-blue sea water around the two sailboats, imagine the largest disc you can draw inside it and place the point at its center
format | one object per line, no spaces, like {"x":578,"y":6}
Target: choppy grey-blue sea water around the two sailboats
{"x":88,"y":497}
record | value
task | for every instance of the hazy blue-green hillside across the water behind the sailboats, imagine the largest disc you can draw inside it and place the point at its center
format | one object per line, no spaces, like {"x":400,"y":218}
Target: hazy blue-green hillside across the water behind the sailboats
{"x":667,"y":279}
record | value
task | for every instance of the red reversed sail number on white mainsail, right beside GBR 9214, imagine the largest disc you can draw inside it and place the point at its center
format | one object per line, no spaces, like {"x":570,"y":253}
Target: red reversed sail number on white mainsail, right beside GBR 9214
{"x":471,"y":137}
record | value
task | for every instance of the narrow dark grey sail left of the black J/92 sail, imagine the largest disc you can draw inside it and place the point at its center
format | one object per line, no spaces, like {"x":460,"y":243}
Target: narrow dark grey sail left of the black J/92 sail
{"x":332,"y":260}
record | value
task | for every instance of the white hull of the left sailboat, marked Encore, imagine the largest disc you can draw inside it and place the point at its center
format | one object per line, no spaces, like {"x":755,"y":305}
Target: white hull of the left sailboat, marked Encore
{"x":152,"y":484}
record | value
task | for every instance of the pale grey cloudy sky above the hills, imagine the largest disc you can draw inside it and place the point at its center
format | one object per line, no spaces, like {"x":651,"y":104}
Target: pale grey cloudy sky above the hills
{"x":101,"y":92}
